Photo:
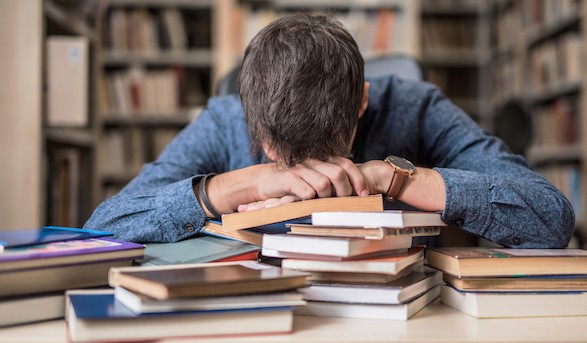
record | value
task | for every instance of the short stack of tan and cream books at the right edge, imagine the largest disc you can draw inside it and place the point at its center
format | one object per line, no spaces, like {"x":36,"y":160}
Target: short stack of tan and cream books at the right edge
{"x":500,"y":282}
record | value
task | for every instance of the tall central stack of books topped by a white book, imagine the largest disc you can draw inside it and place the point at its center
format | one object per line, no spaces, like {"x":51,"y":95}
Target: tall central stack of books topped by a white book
{"x":362,"y":264}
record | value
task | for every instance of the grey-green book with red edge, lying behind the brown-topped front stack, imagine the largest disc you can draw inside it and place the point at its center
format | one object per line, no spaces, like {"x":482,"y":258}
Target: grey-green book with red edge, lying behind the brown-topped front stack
{"x":200,"y":249}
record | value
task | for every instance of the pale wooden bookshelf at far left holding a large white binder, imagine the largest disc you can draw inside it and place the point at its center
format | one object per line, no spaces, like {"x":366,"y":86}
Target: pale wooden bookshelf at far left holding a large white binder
{"x":48,"y":137}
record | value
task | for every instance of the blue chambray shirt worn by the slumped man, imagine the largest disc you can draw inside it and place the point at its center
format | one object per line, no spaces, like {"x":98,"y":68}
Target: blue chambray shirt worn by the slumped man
{"x":490,"y":191}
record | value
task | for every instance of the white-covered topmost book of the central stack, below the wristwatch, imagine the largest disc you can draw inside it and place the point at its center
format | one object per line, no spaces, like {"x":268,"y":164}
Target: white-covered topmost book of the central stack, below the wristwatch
{"x":388,"y":218}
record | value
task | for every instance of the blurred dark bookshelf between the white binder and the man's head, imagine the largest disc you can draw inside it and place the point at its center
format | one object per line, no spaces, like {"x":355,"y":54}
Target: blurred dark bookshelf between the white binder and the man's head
{"x":155,"y":70}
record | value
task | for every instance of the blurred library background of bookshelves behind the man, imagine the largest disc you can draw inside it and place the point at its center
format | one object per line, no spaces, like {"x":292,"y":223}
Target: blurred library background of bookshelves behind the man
{"x":91,"y":90}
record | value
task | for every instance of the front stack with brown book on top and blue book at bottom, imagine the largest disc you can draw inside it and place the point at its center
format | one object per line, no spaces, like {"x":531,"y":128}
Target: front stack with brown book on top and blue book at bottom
{"x":188,"y":300}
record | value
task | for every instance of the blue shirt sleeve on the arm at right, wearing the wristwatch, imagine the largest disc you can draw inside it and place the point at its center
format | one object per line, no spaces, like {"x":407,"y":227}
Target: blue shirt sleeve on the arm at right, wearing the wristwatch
{"x":490,"y":191}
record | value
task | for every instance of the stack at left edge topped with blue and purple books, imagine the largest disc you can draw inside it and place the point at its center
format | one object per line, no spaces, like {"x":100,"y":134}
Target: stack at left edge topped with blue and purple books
{"x":38,"y":265}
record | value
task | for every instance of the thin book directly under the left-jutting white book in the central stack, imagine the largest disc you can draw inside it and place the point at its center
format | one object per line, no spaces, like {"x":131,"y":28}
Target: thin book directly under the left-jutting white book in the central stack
{"x":392,"y":264}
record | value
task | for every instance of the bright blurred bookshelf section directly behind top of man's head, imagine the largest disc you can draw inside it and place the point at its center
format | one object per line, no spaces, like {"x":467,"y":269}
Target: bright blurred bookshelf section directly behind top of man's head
{"x":379,"y":27}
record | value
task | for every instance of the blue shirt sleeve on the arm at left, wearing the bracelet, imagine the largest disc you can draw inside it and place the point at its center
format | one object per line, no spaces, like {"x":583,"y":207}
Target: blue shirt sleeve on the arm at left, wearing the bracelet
{"x":159,"y":205}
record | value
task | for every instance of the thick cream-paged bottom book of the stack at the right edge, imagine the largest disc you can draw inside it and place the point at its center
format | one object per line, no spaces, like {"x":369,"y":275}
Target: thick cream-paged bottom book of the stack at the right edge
{"x":506,"y":304}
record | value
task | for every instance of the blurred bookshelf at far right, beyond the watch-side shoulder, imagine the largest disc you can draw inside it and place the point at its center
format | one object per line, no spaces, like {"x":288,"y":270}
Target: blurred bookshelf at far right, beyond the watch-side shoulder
{"x":542,"y":68}
